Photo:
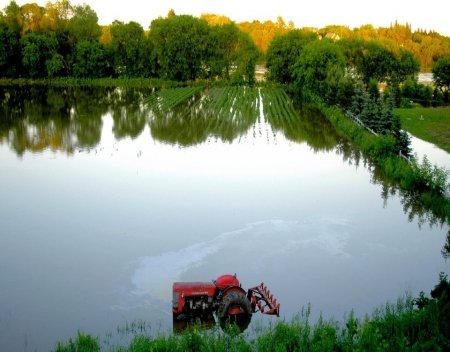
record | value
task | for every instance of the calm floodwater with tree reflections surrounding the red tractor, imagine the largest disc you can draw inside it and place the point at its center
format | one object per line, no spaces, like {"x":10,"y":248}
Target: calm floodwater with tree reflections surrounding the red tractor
{"x":103,"y":205}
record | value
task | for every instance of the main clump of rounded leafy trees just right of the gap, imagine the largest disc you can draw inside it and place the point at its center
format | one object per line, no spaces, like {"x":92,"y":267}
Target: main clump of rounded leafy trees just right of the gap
{"x":292,"y":57}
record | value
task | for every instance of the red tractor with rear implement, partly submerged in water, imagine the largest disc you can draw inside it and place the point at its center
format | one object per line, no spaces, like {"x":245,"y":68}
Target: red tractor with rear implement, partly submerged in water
{"x":225,"y":297}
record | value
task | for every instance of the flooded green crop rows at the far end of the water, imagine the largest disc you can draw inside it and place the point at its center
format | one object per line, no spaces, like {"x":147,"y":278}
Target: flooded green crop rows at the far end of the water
{"x":182,"y":116}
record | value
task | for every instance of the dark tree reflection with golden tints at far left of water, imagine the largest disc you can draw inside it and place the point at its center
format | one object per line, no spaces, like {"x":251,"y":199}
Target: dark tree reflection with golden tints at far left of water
{"x":35,"y":118}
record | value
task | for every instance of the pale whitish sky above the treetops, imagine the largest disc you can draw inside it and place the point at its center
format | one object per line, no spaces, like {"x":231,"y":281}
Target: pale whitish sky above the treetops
{"x":429,"y":15}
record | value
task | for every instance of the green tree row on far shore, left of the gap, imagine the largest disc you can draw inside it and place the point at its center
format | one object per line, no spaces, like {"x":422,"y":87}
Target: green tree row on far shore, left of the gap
{"x":61,"y":40}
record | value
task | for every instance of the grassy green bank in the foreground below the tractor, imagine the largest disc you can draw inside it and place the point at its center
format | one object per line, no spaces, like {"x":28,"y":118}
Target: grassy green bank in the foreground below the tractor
{"x":421,"y":324}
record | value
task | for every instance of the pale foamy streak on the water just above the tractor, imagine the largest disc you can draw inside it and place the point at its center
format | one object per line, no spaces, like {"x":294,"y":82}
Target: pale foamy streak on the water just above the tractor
{"x":249,"y":248}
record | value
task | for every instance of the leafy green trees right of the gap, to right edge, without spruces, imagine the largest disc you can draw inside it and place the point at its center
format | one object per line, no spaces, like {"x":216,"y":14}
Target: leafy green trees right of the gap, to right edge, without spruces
{"x":332,"y":68}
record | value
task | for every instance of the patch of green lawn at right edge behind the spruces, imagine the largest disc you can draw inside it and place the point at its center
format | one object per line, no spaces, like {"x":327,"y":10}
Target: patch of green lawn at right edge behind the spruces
{"x":429,"y":124}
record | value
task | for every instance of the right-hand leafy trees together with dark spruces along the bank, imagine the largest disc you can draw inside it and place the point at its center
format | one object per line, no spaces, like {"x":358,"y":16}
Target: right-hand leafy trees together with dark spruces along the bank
{"x":350,"y":73}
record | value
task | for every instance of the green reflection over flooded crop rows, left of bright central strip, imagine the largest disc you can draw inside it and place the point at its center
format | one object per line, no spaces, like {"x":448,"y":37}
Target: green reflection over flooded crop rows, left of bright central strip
{"x":224,"y":113}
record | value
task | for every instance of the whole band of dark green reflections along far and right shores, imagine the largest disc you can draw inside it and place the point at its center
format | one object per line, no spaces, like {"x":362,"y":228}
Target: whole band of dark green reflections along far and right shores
{"x":37,"y":118}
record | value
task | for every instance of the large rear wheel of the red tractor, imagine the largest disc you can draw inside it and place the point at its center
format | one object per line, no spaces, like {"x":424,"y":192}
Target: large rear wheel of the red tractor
{"x":235,"y":308}
